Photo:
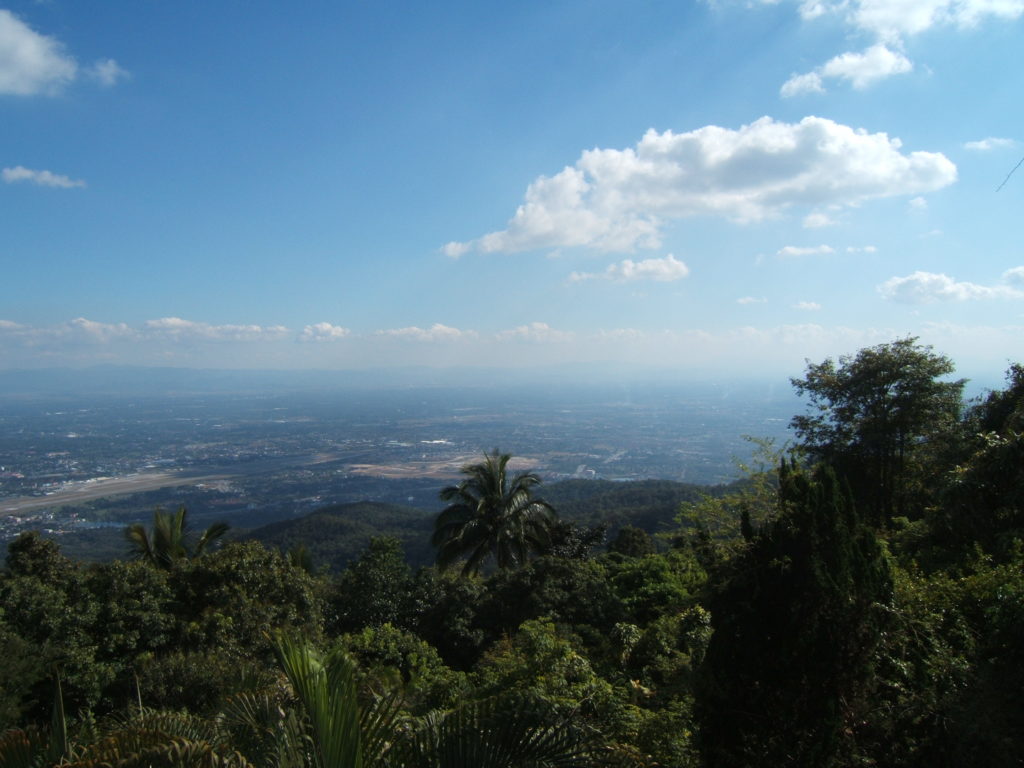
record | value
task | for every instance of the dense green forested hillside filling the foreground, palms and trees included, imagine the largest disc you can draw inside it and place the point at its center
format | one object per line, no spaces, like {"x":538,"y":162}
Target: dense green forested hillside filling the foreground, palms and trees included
{"x":857,"y":602}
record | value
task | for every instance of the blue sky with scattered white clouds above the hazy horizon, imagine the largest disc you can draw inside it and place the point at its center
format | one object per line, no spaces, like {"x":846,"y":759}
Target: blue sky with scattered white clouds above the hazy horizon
{"x":717,"y":188}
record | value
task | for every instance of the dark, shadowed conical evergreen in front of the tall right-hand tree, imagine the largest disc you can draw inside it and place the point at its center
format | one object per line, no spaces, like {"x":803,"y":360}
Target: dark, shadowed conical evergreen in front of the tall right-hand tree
{"x":796,"y":621}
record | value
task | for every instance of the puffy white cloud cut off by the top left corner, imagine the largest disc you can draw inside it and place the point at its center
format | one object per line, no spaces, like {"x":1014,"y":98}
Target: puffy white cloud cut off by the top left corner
{"x":31,"y":63}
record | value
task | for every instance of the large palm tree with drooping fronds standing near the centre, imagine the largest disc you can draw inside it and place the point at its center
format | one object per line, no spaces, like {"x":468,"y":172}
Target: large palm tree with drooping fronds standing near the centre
{"x":492,"y":515}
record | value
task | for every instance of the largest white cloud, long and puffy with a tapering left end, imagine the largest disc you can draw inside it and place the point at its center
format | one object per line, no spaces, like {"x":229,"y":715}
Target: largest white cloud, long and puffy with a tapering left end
{"x":619,"y":200}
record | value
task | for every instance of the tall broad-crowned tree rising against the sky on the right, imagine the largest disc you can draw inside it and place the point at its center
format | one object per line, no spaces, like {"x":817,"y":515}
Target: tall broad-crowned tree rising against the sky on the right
{"x":873,"y":414}
